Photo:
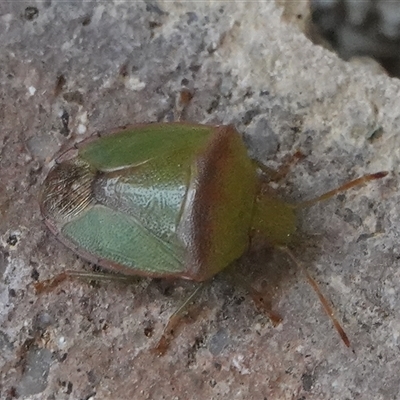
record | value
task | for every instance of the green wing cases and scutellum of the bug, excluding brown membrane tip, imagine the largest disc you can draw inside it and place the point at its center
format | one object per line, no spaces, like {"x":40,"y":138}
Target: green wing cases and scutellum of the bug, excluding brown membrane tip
{"x":140,"y":189}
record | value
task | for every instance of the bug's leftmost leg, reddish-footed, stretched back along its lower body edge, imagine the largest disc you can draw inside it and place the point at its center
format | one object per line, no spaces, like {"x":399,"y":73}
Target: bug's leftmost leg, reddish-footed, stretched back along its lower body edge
{"x":50,"y":284}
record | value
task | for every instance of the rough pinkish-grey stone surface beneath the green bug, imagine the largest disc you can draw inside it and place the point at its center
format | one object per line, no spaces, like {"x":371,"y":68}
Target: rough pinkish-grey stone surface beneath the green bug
{"x":68,"y":71}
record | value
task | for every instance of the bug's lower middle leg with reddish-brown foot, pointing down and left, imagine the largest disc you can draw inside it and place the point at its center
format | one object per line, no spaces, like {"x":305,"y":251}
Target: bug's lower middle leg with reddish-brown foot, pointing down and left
{"x":173,"y":322}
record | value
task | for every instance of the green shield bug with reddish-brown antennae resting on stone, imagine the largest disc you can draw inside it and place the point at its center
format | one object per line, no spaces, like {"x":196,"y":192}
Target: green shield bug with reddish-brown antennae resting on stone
{"x":170,"y":200}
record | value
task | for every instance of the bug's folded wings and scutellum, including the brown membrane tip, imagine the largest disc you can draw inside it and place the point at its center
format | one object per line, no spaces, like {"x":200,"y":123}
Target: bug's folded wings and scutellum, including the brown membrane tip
{"x":133,"y":204}
